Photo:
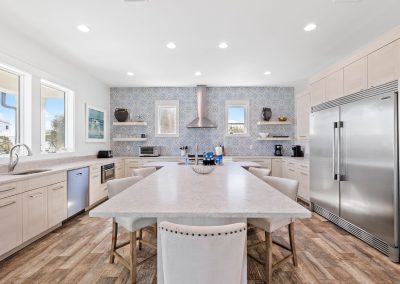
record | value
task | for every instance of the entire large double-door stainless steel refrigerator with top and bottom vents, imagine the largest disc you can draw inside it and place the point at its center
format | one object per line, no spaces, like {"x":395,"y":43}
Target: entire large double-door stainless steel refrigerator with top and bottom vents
{"x":354,"y":165}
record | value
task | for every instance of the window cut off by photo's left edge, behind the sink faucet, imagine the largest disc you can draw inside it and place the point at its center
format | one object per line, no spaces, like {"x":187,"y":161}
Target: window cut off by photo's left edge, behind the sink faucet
{"x":9,"y":110}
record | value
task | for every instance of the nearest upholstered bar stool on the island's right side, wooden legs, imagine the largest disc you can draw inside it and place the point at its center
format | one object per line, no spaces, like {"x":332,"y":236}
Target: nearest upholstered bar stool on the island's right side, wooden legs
{"x":288,"y":187}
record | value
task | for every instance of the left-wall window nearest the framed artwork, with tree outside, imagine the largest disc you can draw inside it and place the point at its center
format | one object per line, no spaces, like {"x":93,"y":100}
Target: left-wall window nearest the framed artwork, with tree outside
{"x":56,"y":129}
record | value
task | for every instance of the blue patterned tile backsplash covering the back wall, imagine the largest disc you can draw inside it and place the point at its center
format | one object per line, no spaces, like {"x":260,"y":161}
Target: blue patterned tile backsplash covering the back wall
{"x":141,"y":101}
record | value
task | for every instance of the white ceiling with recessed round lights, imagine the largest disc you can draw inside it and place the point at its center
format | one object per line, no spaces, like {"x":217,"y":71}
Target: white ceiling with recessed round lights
{"x":262,"y":35}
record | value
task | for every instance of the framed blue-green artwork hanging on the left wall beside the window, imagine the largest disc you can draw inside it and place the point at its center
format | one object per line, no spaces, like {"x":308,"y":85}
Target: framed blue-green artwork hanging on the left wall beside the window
{"x":95,"y":124}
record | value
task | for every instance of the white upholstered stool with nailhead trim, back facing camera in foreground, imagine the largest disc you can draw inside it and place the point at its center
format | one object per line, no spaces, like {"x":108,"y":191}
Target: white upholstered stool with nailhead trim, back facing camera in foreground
{"x":202,"y":254}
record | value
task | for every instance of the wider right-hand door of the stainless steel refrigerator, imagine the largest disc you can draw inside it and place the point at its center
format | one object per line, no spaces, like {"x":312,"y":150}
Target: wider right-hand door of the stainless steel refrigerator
{"x":368,"y":190}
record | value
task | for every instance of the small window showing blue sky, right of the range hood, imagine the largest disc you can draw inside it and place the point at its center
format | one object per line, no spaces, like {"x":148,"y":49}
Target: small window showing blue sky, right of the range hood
{"x":237,"y":117}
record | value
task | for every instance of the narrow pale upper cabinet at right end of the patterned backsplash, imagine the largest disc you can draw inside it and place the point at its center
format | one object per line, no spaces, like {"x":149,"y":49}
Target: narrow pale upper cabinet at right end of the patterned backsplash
{"x":303,"y":110}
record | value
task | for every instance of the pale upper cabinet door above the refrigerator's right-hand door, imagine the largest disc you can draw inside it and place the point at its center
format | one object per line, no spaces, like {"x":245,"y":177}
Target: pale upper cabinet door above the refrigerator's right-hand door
{"x":382,"y":65}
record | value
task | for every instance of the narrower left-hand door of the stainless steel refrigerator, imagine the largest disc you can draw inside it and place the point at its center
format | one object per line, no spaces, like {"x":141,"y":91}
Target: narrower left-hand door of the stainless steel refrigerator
{"x":324,"y":184}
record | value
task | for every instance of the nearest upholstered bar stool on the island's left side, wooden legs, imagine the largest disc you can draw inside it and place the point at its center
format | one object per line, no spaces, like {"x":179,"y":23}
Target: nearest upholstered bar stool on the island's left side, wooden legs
{"x":133,"y":225}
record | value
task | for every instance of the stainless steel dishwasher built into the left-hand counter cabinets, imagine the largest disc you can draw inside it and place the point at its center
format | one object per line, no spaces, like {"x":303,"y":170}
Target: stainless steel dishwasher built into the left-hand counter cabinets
{"x":78,"y":190}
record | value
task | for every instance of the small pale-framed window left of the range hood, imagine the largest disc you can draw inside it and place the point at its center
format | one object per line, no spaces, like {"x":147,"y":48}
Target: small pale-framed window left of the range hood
{"x":167,"y":118}
